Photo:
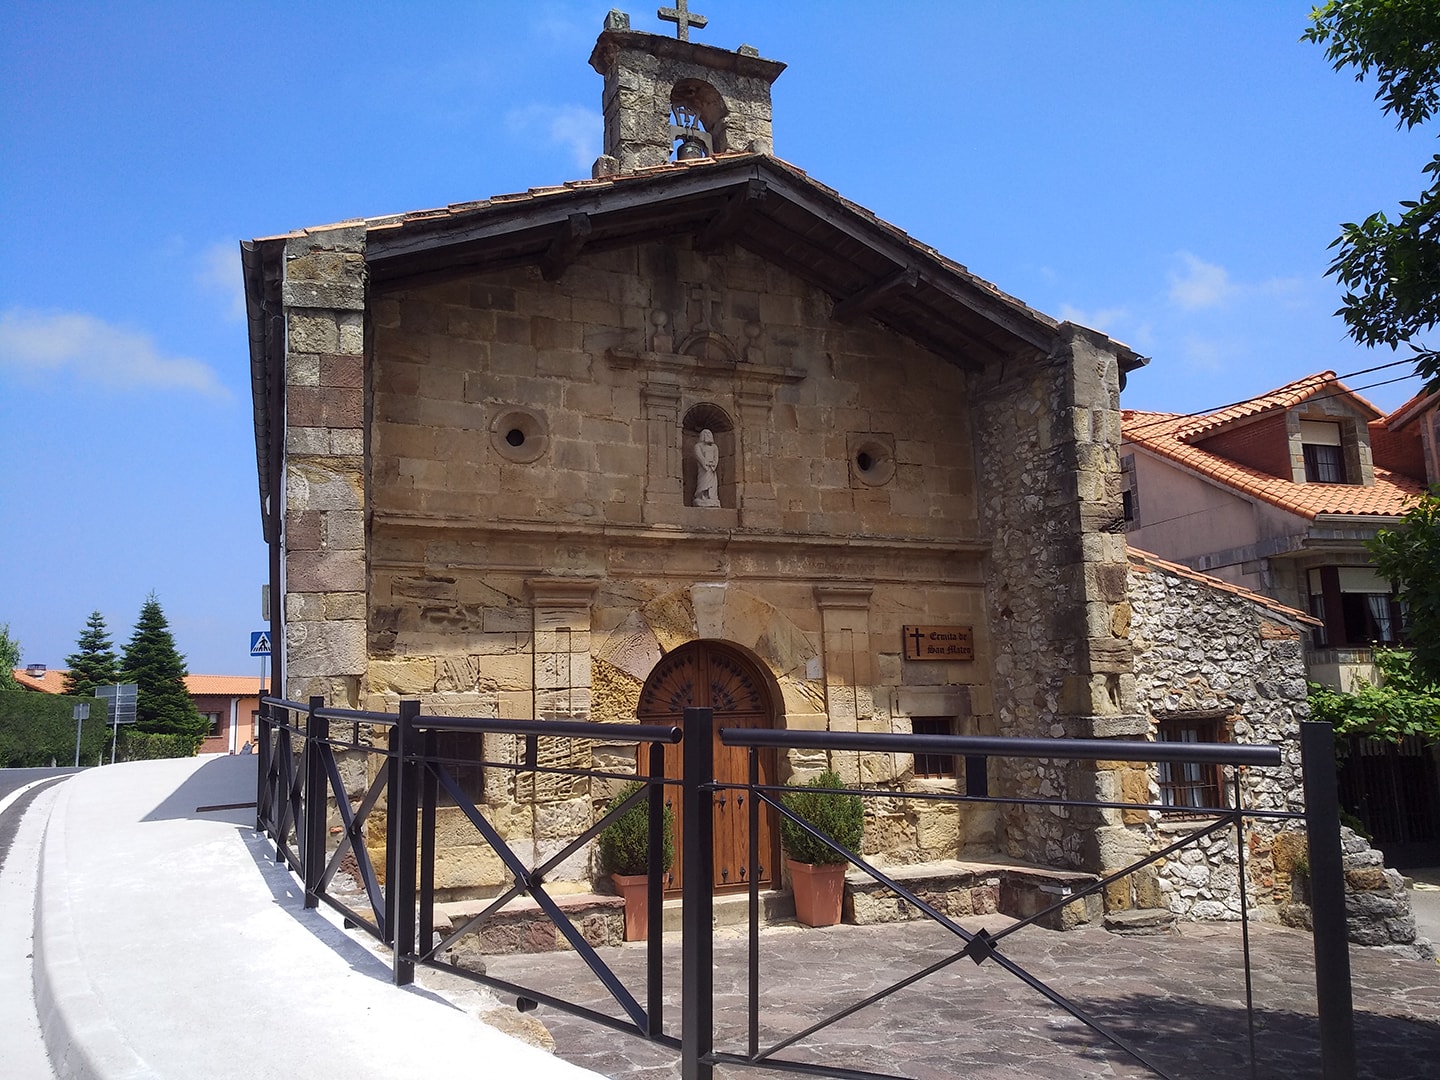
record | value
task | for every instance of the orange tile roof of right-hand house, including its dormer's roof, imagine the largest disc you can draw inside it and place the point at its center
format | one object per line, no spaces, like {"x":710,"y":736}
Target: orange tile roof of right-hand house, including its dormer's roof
{"x":1171,"y":436}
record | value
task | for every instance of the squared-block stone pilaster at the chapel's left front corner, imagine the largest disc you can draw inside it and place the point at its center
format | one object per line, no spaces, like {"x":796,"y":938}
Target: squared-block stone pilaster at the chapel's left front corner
{"x":323,"y":294}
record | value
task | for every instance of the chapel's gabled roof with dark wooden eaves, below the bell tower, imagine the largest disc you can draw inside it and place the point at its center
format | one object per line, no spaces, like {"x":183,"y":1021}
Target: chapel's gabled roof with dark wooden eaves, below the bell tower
{"x":760,"y":202}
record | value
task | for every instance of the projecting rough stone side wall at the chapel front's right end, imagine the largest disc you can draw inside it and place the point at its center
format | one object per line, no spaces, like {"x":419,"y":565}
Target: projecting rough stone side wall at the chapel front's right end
{"x":1048,"y":449}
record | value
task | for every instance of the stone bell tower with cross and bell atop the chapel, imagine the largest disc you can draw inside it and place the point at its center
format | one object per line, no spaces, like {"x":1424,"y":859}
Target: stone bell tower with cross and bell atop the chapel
{"x":670,"y":99}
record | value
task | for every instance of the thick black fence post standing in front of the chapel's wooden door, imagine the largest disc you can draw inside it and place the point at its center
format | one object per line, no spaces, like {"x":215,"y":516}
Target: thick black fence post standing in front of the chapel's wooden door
{"x":698,"y":899}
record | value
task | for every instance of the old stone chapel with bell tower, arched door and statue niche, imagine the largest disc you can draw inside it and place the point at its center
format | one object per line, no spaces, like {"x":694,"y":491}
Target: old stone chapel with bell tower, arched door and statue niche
{"x":696,"y":431}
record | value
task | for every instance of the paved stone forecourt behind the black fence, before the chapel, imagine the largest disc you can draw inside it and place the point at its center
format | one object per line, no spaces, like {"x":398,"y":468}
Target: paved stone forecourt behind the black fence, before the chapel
{"x":1179,"y":999}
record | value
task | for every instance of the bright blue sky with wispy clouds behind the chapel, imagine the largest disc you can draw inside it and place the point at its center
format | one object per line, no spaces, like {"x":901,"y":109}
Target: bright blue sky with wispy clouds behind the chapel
{"x":1170,"y":174}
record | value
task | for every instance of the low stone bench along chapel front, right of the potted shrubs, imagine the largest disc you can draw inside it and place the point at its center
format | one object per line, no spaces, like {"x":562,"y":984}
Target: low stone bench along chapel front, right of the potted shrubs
{"x":963,"y":889}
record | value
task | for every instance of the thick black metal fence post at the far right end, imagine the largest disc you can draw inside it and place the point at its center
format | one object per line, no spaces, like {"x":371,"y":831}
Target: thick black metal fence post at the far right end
{"x":1323,"y":830}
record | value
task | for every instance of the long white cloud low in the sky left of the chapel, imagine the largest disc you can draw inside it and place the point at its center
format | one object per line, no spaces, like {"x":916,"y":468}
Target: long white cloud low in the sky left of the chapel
{"x":40,"y":342}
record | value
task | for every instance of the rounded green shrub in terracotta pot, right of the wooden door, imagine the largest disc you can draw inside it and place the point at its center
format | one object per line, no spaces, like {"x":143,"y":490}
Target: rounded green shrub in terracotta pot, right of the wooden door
{"x":817,"y":870}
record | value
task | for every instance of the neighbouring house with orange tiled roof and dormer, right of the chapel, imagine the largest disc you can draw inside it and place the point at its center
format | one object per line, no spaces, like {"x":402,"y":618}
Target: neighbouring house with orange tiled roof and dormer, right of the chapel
{"x":1279,"y":495}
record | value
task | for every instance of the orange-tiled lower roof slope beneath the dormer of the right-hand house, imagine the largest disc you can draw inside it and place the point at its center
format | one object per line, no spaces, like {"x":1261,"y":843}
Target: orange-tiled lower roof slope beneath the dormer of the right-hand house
{"x":1166,"y":436}
